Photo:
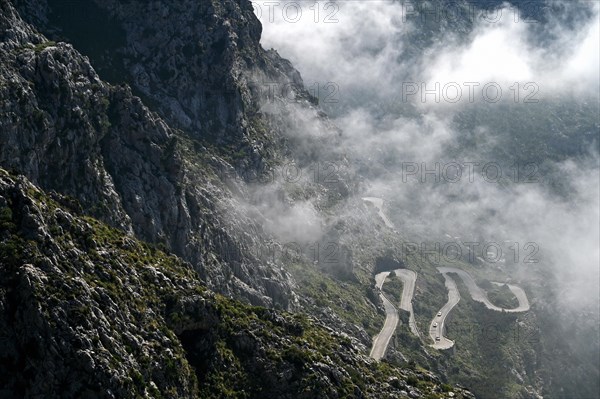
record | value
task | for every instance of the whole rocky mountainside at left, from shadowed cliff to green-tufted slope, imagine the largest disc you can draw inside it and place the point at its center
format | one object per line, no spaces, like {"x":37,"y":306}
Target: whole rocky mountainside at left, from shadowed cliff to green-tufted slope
{"x":120,"y":227}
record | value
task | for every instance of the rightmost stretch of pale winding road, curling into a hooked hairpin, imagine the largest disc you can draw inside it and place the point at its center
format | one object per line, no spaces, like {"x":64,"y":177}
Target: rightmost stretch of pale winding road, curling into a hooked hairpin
{"x":477,"y":294}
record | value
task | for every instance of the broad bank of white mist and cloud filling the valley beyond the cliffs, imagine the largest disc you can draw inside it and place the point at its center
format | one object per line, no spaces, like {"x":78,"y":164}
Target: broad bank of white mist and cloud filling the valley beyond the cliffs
{"x":487,"y":134}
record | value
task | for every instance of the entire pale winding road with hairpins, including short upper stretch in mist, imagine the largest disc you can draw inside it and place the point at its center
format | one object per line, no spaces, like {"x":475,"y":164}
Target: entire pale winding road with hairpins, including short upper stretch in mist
{"x":436,"y":327}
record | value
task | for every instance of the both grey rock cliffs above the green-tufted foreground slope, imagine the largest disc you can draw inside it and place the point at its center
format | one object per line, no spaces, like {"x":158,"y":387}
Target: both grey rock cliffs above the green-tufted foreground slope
{"x":164,"y":176}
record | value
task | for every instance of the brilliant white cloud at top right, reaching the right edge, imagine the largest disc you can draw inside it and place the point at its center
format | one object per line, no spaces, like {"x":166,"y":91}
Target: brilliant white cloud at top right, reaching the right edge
{"x":507,"y":52}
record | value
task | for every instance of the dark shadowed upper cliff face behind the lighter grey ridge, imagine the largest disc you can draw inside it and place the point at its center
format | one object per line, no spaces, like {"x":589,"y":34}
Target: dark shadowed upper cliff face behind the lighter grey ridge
{"x":199,"y":63}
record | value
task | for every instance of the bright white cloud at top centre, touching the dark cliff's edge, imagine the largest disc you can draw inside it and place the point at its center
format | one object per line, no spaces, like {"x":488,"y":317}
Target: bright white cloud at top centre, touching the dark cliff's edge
{"x":357,"y":51}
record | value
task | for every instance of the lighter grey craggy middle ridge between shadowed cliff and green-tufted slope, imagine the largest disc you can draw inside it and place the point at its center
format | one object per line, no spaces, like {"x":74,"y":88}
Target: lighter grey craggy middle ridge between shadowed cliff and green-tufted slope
{"x":69,"y":131}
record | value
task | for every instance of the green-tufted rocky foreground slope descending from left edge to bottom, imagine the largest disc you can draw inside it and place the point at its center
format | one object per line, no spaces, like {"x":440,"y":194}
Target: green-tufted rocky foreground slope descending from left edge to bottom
{"x":88,"y":311}
